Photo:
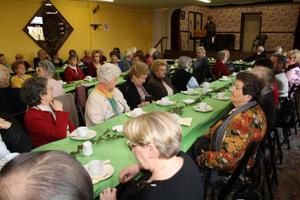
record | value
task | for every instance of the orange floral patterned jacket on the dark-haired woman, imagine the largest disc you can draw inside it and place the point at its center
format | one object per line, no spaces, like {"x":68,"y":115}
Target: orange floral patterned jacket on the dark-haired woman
{"x":244,"y":128}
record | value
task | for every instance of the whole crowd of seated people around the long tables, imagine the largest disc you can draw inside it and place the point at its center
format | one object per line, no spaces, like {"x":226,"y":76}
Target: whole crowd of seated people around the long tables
{"x":154,"y":138}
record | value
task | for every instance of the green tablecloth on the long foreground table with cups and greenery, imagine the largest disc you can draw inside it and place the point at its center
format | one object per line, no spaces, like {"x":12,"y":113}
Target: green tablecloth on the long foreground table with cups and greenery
{"x":117,"y":150}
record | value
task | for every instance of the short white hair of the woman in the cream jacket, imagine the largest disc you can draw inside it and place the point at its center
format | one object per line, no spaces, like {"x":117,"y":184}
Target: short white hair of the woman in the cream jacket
{"x":108,"y":72}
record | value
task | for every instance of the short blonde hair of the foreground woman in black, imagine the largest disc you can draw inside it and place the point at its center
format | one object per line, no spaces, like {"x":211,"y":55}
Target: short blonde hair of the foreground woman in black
{"x":158,"y":128}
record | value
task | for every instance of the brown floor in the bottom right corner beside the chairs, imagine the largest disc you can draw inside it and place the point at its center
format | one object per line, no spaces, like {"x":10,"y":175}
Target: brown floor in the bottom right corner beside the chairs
{"x":289,"y":172}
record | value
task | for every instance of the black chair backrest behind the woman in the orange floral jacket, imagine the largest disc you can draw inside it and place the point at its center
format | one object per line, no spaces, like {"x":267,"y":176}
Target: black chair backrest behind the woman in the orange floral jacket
{"x":241,"y":168}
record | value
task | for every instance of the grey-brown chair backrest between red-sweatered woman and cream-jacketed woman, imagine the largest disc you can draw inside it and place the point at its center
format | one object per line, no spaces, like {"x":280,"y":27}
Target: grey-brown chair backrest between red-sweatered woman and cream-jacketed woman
{"x":69,"y":106}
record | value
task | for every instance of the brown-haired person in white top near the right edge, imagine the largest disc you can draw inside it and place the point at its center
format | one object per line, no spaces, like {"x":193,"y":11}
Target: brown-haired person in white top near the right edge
{"x":279,"y":62}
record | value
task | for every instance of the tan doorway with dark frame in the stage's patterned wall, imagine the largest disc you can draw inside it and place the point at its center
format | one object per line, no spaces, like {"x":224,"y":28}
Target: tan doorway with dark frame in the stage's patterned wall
{"x":250,"y":28}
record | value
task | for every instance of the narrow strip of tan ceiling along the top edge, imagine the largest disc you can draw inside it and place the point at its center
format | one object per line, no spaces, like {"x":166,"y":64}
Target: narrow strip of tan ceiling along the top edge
{"x":179,"y":3}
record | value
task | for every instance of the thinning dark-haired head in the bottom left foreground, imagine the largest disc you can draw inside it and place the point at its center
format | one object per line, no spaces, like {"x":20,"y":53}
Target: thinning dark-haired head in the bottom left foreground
{"x":45,"y":175}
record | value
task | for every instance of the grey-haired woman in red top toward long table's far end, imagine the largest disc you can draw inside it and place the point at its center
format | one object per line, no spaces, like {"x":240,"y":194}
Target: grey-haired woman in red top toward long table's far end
{"x":220,"y":69}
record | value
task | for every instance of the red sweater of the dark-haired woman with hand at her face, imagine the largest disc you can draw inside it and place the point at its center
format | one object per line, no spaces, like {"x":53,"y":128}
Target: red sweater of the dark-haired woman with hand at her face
{"x":43,"y":128}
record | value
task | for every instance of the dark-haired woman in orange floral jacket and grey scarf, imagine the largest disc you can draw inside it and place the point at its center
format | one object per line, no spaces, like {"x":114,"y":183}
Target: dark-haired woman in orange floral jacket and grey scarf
{"x":225,"y":144}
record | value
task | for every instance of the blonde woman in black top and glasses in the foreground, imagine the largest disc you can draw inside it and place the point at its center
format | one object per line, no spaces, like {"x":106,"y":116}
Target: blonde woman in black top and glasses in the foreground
{"x":154,"y":139}
